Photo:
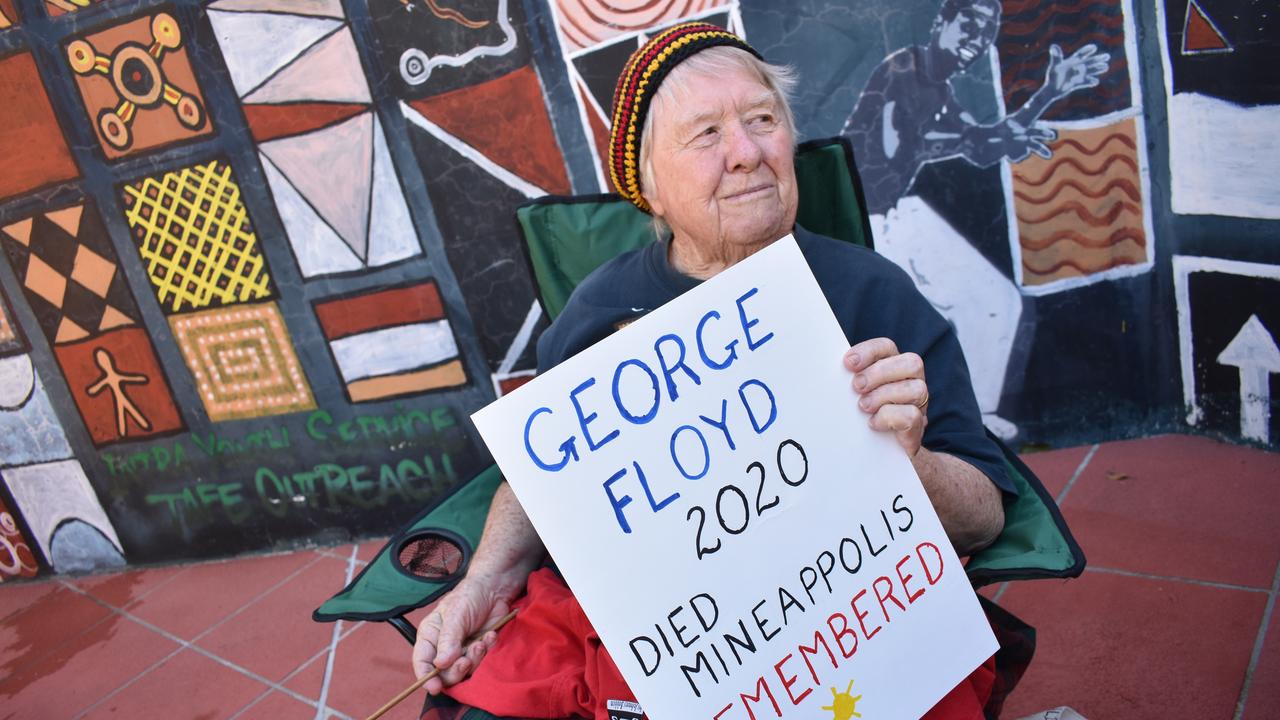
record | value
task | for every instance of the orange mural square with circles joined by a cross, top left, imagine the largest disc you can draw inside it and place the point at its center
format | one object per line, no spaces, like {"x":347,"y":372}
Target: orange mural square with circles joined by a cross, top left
{"x":138,"y":85}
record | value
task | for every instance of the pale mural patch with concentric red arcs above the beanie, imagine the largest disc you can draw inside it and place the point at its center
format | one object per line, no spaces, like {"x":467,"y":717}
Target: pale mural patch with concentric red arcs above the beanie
{"x":587,"y":24}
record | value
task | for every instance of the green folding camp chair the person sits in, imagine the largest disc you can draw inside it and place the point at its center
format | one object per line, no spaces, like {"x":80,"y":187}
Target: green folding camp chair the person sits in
{"x":569,"y":238}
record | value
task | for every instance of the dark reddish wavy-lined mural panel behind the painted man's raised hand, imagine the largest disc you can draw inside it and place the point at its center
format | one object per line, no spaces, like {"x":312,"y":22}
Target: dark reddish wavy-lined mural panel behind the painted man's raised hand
{"x":1030,"y":29}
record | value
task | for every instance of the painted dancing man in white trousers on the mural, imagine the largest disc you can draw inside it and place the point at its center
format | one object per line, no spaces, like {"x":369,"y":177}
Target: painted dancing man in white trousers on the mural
{"x":908,"y":117}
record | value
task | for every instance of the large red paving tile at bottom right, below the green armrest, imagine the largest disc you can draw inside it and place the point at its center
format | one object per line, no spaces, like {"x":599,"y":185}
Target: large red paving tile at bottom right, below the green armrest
{"x":1121,"y":646}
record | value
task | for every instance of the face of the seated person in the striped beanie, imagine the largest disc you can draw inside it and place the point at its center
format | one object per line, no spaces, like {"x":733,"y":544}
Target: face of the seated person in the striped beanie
{"x":723,"y":166}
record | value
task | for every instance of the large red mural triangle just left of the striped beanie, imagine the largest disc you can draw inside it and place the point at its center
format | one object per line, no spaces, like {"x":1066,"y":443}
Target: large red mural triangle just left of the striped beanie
{"x":506,"y":121}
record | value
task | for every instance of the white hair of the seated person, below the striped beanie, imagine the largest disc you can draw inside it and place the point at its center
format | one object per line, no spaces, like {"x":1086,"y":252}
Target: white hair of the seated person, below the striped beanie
{"x":716,"y":62}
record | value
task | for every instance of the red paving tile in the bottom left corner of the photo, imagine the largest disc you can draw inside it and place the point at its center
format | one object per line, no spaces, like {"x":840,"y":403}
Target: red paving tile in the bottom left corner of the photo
{"x":84,"y":671}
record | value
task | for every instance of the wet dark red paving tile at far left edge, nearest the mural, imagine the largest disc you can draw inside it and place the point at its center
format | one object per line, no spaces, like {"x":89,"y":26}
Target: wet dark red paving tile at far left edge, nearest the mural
{"x":43,"y":627}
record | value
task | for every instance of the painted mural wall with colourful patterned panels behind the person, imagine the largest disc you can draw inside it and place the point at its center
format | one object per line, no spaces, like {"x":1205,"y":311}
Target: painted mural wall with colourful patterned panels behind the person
{"x":260,"y":262}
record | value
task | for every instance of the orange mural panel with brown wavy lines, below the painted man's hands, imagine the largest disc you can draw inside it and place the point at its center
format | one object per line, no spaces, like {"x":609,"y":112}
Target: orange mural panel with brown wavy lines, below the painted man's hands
{"x":1081,"y":212}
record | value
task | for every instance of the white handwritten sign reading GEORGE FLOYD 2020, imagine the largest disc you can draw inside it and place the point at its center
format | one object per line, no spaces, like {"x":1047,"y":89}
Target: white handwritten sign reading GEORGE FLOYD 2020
{"x":744,"y":544}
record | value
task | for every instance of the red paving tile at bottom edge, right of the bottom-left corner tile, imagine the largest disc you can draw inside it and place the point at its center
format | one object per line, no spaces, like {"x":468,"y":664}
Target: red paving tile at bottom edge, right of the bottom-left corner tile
{"x":186,"y":686}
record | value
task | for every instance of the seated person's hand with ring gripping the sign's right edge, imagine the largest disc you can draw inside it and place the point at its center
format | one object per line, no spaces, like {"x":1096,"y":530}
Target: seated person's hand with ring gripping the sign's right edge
{"x":893,"y":390}
